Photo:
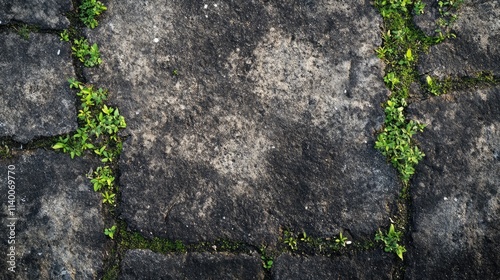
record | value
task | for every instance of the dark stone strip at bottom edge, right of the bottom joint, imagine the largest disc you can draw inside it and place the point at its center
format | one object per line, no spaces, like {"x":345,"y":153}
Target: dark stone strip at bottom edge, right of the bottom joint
{"x":366,"y":265}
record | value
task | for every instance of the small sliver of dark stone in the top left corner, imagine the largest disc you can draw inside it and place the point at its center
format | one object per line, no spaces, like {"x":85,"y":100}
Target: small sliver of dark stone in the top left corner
{"x":43,"y":13}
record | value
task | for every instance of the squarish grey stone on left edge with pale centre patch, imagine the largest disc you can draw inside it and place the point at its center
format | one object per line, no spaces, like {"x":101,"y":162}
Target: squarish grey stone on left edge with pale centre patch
{"x":35,"y":99}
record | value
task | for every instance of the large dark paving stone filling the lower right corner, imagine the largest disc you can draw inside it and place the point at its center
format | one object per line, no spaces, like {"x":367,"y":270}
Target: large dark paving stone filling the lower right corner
{"x":456,"y":198}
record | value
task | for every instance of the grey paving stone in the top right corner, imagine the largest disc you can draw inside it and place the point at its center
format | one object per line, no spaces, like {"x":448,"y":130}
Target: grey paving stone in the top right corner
{"x":476,"y":47}
